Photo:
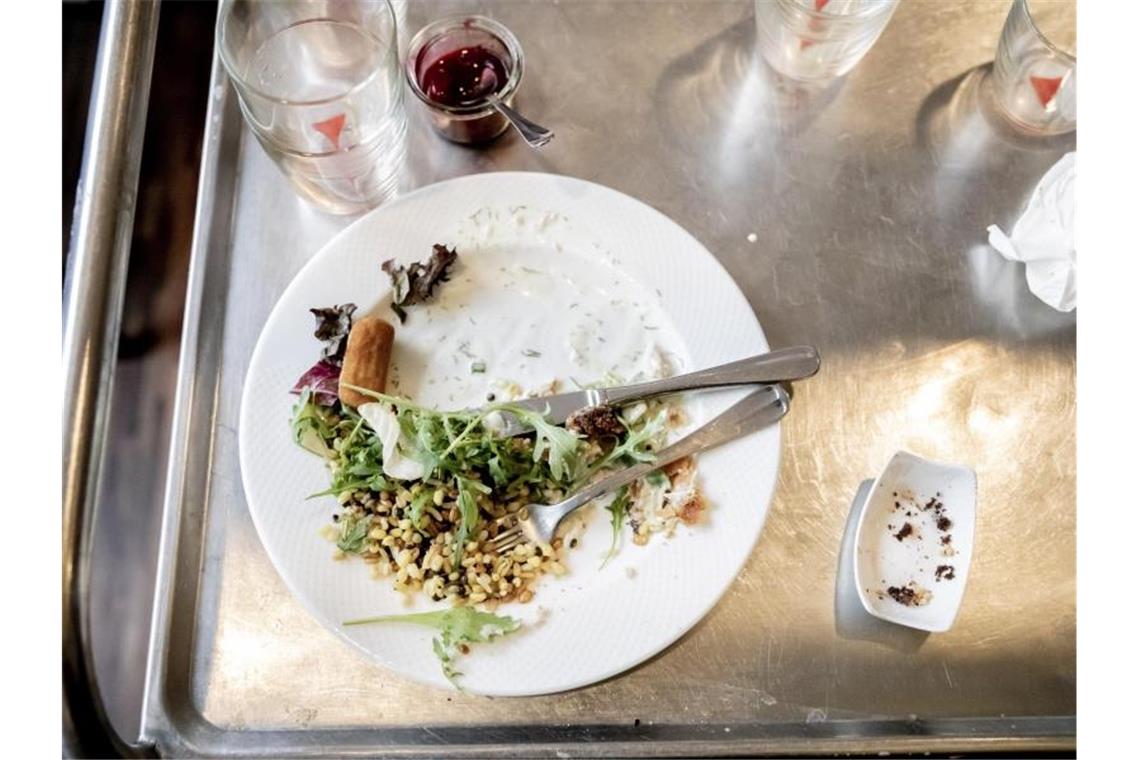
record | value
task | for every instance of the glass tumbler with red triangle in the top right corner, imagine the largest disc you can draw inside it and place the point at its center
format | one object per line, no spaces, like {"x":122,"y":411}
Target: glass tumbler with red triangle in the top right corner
{"x":1035,"y":77}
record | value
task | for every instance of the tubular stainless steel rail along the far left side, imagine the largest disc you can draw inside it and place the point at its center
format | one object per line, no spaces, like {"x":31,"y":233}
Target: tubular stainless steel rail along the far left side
{"x":94,"y":301}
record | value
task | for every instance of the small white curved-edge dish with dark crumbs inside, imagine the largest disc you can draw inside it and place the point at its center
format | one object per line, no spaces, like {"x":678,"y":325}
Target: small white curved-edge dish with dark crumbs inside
{"x":915,"y":543}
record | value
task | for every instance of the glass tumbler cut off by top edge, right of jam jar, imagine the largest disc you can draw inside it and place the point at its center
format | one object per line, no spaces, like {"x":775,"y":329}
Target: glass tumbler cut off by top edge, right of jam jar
{"x":813,"y":40}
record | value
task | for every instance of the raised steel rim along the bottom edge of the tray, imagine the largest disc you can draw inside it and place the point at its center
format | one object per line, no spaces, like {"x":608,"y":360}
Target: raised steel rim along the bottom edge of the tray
{"x":983,"y":738}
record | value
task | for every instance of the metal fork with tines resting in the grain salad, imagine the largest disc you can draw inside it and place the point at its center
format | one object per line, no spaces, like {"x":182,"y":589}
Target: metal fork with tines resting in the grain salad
{"x":539,"y":522}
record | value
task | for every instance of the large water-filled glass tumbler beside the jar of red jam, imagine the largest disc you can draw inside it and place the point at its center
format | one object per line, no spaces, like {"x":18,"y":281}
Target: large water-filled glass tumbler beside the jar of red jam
{"x":321,"y":87}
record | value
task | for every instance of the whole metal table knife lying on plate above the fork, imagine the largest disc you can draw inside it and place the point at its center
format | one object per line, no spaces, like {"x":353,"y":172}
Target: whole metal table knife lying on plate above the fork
{"x":784,"y":365}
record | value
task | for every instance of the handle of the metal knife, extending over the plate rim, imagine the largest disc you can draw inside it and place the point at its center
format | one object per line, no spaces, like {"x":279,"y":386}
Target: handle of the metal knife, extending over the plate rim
{"x":780,"y":366}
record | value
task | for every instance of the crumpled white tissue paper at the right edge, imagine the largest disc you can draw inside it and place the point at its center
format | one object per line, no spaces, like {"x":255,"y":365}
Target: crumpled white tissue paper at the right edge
{"x":1044,"y":238}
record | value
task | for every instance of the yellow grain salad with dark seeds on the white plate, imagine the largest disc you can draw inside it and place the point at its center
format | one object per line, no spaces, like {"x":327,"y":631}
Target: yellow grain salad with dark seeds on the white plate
{"x":410,"y":535}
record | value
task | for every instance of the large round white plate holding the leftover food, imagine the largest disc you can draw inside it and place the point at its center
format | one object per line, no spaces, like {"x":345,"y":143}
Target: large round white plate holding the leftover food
{"x":593,"y":623}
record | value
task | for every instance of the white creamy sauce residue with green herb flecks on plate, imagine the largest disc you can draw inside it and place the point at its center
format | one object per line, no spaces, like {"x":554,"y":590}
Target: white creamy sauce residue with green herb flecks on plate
{"x":535,"y":307}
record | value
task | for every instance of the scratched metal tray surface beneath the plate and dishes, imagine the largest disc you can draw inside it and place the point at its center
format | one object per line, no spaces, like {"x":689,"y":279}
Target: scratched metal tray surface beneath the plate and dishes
{"x":869,"y":202}
